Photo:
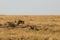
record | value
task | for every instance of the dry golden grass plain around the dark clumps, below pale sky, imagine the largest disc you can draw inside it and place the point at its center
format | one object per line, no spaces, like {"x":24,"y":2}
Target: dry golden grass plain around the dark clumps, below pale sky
{"x":49,"y":28}
